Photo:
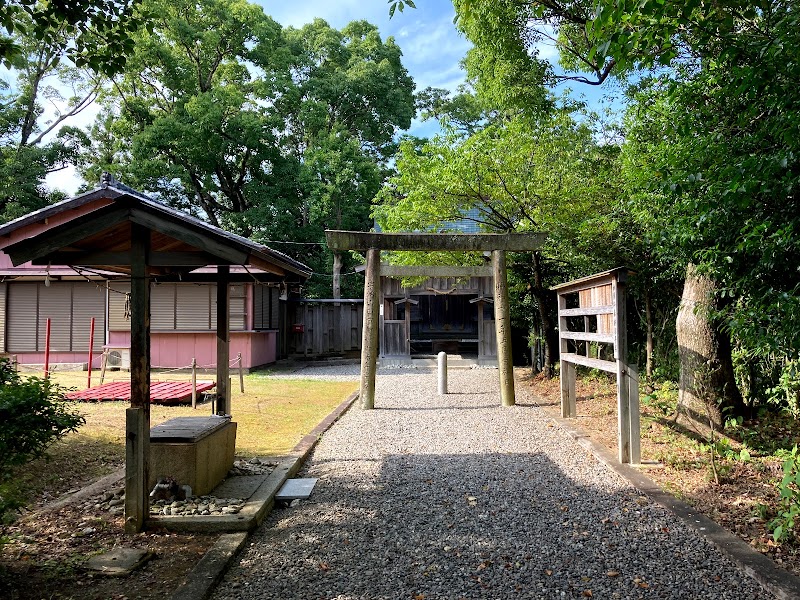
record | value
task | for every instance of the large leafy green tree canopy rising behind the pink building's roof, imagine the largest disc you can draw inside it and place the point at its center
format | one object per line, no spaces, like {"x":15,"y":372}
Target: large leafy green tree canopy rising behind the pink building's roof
{"x":275,"y":134}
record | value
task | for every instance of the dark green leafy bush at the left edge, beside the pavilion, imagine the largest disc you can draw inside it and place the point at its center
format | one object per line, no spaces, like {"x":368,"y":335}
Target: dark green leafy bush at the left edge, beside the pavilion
{"x":33,"y":414}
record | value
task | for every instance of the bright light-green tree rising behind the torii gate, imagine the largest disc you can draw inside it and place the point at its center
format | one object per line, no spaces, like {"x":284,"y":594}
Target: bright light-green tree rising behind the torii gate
{"x":515,"y":174}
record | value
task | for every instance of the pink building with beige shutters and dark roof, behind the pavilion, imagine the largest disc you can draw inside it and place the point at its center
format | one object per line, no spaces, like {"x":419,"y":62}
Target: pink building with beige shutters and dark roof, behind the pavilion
{"x":183,"y":307}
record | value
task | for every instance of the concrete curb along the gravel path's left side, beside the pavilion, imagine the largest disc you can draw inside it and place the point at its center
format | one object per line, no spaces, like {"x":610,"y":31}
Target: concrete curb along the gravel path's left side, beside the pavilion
{"x":208,"y":572}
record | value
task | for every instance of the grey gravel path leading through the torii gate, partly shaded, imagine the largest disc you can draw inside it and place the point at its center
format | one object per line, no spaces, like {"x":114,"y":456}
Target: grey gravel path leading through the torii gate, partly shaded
{"x":456,"y":497}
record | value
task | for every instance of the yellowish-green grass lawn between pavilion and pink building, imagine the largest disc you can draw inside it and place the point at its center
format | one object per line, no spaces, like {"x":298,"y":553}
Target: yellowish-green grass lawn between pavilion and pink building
{"x":272,"y":416}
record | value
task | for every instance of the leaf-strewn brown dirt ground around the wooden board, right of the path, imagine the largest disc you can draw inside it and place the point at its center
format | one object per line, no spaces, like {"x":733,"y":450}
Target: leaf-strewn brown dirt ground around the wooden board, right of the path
{"x":674,"y":458}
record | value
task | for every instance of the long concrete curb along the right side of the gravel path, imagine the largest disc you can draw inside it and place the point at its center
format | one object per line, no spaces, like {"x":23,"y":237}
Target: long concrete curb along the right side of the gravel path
{"x":772,"y":578}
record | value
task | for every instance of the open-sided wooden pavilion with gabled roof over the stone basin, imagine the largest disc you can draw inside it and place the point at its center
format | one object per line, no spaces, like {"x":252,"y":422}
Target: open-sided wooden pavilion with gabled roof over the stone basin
{"x":141,"y":238}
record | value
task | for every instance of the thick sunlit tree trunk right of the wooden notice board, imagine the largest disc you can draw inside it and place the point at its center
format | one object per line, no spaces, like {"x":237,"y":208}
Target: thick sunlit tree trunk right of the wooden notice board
{"x":706,"y":387}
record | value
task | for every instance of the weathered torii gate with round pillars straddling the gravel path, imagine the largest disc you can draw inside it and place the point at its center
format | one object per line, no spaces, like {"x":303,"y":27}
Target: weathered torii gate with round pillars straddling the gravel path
{"x":496,"y":243}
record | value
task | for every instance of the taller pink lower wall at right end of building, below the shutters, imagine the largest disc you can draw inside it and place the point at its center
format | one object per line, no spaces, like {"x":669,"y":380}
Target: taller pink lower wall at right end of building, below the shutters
{"x":176,"y":349}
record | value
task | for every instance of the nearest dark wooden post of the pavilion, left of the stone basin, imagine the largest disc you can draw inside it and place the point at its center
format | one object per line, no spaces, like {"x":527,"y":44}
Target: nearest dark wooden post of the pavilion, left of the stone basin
{"x":137,"y":439}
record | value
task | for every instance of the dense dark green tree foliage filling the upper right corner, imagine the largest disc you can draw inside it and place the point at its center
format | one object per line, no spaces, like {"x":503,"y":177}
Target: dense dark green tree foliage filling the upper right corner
{"x":717,"y":121}
